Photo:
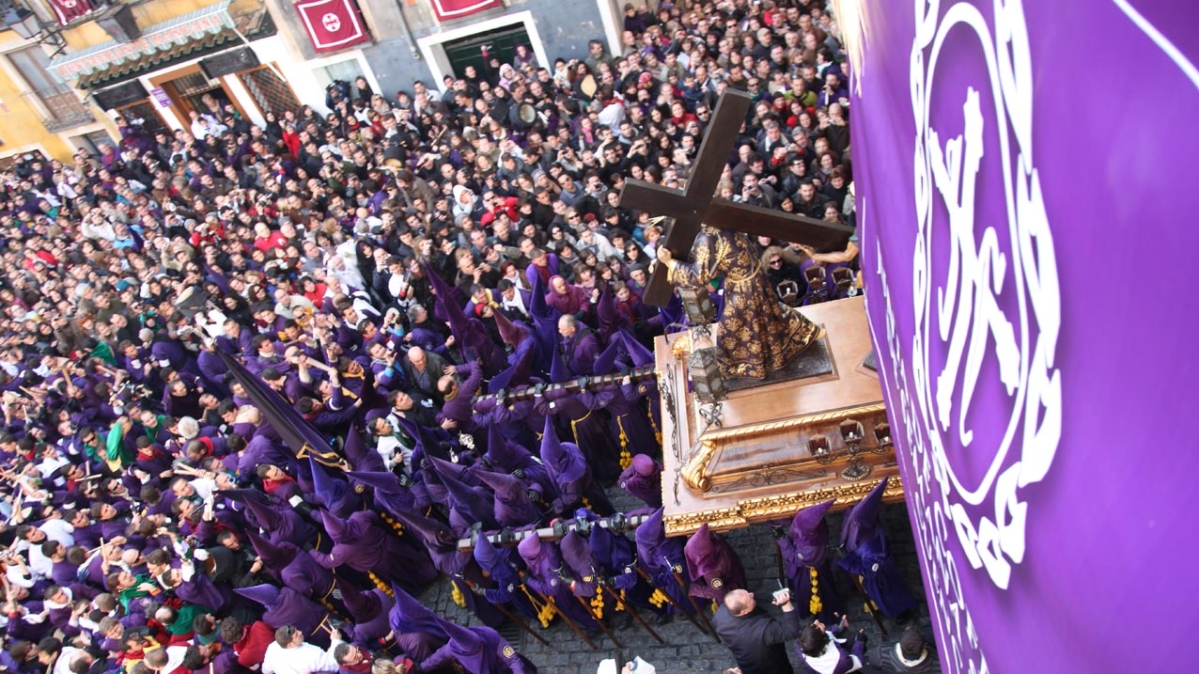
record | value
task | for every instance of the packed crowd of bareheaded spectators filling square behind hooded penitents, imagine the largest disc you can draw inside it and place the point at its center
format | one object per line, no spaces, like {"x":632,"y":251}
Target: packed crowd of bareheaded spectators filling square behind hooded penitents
{"x":311,"y":250}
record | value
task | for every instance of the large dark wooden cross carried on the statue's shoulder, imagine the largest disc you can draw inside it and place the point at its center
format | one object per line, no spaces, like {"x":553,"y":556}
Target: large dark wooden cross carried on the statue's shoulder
{"x":696,"y":206}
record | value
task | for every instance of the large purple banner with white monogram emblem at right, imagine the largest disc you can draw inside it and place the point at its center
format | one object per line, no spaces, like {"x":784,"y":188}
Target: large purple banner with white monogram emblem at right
{"x":1026,"y":183}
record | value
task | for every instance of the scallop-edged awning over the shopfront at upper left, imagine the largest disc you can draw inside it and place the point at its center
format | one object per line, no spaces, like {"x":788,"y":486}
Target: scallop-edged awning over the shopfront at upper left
{"x":188,"y":37}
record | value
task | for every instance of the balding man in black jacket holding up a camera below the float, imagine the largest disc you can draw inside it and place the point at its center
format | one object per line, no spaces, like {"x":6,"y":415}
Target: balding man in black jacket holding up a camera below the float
{"x":758,"y":641}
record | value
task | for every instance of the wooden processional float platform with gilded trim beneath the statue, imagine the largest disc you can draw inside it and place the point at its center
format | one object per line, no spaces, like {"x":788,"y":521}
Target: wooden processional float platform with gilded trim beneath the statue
{"x":781,"y":447}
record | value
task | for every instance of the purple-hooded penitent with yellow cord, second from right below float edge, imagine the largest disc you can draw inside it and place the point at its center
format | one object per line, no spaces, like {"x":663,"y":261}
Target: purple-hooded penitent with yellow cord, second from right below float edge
{"x":805,"y":551}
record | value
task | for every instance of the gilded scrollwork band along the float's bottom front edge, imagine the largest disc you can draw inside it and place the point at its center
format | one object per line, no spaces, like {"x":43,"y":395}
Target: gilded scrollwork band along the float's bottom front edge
{"x":751,"y":511}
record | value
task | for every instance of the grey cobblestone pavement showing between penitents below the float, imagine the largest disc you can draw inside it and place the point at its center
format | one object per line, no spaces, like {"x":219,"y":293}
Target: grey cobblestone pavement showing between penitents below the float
{"x":688,"y":651}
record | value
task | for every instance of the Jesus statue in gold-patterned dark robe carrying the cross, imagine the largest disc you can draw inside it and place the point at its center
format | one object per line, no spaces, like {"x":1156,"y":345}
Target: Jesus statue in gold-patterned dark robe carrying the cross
{"x":757,"y":334}
